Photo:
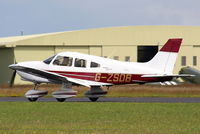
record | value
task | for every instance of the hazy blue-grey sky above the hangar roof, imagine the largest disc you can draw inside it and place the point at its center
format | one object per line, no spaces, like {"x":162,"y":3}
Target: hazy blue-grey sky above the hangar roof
{"x":46,"y":16}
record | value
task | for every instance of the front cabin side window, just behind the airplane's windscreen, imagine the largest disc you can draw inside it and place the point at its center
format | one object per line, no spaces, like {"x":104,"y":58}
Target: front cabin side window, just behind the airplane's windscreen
{"x":63,"y":61}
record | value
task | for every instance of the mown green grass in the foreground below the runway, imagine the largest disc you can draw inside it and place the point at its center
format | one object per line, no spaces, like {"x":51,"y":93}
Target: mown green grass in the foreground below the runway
{"x":98,"y":118}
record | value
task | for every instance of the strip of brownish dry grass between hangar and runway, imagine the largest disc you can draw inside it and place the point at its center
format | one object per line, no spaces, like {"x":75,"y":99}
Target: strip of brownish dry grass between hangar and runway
{"x":116,"y":91}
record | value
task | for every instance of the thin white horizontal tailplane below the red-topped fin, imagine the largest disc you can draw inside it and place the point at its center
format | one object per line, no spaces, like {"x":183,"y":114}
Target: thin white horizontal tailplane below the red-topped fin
{"x":172,"y":75}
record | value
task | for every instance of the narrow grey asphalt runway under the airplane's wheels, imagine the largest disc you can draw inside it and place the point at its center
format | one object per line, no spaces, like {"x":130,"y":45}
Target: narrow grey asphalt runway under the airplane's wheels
{"x":108,"y":99}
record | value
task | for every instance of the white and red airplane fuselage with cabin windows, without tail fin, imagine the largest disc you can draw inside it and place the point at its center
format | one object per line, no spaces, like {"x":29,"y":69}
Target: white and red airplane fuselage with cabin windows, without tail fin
{"x":92,"y":69}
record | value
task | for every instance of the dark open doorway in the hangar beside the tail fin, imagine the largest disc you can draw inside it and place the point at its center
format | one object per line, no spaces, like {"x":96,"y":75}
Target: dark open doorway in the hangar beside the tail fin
{"x":146,"y":53}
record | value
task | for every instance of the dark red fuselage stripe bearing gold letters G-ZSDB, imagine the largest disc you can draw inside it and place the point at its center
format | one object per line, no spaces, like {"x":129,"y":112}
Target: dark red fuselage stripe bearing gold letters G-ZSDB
{"x":114,"y":78}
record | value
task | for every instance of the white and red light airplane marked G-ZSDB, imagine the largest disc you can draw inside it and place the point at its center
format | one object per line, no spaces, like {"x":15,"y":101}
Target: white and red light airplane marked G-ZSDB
{"x":69,"y":68}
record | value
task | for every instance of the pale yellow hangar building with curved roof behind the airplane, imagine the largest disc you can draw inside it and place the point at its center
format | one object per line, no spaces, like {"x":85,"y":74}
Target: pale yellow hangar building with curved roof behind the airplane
{"x":131,"y":43}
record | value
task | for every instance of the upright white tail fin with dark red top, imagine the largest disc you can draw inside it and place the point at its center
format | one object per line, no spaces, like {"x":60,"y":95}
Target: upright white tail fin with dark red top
{"x":165,"y":59}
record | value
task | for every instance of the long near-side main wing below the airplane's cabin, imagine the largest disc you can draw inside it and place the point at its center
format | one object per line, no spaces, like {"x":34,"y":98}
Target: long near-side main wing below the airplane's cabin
{"x":57,"y":78}
